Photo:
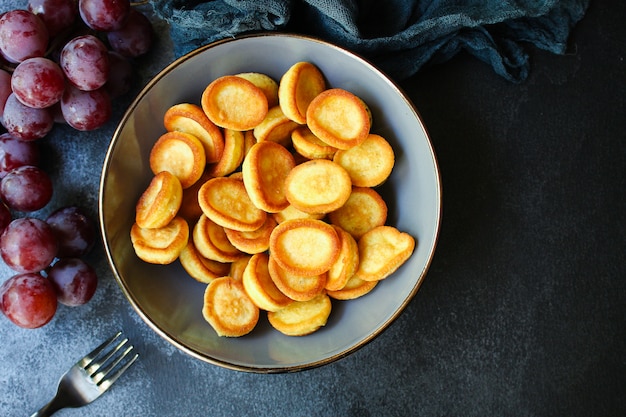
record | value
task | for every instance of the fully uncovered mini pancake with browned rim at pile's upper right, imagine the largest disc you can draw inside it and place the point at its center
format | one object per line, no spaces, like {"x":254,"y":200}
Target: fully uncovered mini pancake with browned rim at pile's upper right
{"x":339,"y":118}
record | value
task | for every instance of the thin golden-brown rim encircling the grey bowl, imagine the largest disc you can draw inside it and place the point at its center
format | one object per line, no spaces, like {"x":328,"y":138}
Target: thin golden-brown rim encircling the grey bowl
{"x":223,"y":363}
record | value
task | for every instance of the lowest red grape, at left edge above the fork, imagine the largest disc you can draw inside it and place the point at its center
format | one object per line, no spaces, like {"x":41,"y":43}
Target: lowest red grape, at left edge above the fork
{"x":28,"y":300}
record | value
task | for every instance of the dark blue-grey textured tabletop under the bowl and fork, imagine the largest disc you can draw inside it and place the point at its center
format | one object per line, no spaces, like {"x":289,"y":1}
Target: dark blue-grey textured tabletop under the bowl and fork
{"x":523,"y":312}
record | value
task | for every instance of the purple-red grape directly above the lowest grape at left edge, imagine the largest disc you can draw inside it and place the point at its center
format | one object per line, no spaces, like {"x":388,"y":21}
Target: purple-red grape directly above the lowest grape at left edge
{"x":28,"y":245}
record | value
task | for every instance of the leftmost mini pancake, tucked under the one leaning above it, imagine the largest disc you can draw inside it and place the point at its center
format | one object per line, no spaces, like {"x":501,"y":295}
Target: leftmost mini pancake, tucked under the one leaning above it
{"x":160,"y":245}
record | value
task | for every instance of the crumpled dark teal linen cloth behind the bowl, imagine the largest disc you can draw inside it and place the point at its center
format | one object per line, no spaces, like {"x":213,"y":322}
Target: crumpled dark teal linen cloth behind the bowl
{"x":399,"y":36}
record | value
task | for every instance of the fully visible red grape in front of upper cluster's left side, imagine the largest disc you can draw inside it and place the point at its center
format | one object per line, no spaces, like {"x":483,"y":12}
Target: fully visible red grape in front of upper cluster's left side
{"x":38,"y":82}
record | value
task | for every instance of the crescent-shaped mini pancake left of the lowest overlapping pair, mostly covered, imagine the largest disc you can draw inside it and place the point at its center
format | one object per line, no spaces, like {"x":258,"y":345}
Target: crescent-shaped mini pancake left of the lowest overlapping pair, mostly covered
{"x":260,"y":287}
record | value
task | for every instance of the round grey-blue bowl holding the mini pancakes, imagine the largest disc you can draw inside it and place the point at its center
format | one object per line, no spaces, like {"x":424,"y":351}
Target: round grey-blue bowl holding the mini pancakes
{"x":170,"y":301}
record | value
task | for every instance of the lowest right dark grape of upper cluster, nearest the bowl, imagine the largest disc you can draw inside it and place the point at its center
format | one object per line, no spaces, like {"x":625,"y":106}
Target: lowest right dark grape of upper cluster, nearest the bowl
{"x":86,"y":110}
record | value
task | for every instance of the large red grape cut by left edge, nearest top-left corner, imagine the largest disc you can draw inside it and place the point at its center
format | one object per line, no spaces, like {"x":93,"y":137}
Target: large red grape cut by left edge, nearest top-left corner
{"x":22,"y":35}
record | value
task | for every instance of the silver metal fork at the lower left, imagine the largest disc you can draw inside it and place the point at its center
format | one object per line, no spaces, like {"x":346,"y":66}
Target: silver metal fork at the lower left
{"x":91,"y":376}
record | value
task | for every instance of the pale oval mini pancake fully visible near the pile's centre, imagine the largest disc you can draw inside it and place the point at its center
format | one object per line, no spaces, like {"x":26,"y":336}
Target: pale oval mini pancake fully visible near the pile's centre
{"x":318,"y":186}
